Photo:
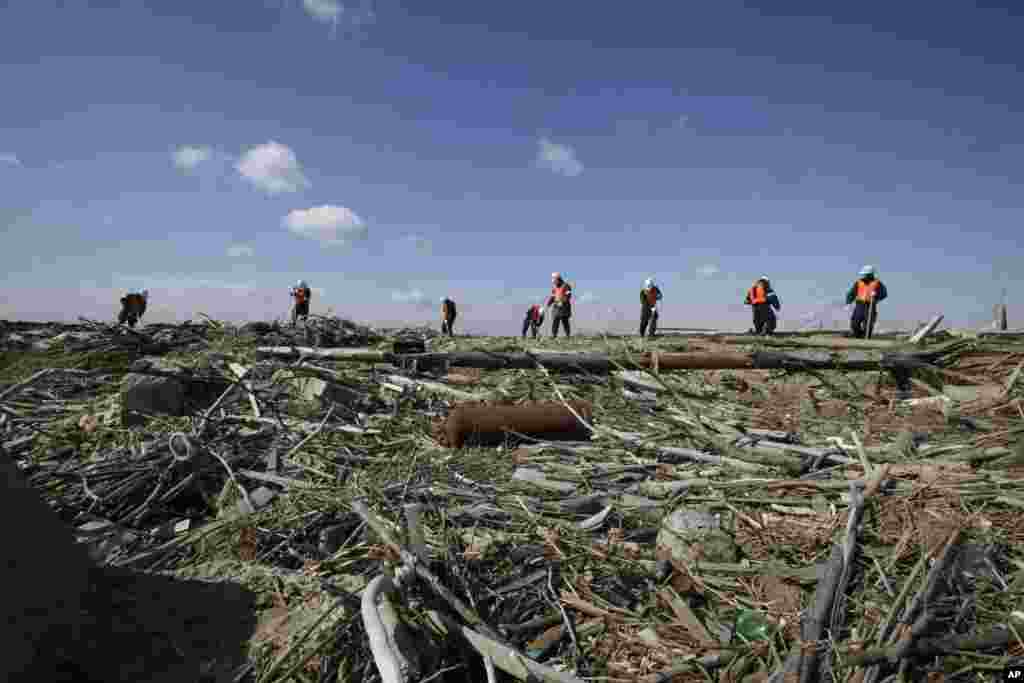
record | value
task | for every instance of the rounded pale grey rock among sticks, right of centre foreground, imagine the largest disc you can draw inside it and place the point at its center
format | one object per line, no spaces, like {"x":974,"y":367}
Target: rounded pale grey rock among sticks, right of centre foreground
{"x":692,"y":535}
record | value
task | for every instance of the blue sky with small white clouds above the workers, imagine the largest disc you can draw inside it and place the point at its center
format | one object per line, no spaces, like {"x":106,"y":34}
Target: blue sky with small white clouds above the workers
{"x":393,"y":152}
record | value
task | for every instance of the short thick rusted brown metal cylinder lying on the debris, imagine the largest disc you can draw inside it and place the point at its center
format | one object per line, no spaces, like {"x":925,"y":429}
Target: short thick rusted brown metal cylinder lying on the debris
{"x":488,"y":425}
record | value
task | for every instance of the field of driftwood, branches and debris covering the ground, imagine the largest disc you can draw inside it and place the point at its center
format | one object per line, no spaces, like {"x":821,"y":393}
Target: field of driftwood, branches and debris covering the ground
{"x":400,"y":506}
